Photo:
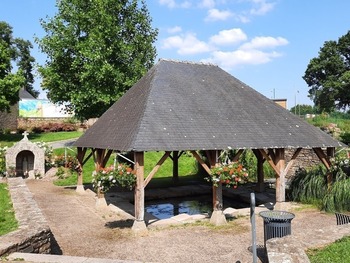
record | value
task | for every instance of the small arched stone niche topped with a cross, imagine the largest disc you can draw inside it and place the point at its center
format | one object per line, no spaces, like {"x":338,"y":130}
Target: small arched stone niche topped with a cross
{"x":25,"y":158}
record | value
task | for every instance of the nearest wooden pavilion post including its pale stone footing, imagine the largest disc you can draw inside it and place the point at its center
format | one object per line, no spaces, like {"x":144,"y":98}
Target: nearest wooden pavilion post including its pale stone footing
{"x":139,"y":225}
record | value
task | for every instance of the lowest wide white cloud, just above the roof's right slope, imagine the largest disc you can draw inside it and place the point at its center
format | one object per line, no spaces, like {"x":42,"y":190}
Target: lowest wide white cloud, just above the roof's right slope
{"x":228,"y":60}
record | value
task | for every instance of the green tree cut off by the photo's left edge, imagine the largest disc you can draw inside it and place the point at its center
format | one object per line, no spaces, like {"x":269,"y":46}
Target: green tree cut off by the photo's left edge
{"x":10,"y":83}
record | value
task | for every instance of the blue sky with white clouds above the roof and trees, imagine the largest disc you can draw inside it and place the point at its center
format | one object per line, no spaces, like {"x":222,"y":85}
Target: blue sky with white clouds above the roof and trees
{"x":265,"y":43}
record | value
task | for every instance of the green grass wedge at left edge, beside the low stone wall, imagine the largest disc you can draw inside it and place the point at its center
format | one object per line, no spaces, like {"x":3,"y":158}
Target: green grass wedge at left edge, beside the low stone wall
{"x":8,"y":221}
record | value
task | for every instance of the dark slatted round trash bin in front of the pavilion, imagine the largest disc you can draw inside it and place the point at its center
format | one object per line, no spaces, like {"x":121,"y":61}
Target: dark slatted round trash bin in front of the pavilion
{"x":276,"y":223}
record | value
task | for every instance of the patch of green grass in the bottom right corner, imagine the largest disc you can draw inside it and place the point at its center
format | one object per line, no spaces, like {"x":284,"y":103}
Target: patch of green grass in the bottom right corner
{"x":339,"y":251}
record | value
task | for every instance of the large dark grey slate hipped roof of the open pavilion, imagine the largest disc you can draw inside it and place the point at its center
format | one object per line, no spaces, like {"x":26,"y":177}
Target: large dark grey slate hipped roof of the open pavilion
{"x":195,"y":106}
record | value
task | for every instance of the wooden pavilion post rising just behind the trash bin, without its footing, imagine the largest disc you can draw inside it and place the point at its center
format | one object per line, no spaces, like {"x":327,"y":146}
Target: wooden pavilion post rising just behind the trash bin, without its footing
{"x":280,"y":178}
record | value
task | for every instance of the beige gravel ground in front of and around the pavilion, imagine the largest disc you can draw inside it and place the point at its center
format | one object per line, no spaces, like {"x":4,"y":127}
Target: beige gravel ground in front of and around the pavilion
{"x":81,"y":230}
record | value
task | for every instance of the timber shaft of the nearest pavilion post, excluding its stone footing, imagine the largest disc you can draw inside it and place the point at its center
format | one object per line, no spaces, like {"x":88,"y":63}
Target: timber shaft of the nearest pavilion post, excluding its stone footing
{"x":139,"y":192}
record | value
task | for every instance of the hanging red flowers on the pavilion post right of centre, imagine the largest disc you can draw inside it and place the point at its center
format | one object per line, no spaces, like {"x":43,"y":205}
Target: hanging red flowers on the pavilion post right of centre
{"x":230,"y":174}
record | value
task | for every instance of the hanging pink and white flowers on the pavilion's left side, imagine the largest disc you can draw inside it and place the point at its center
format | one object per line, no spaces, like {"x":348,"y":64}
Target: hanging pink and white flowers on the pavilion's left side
{"x":105,"y":178}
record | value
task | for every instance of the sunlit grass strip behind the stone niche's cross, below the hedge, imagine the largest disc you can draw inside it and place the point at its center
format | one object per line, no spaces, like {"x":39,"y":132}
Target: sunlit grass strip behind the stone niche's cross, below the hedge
{"x":10,"y":139}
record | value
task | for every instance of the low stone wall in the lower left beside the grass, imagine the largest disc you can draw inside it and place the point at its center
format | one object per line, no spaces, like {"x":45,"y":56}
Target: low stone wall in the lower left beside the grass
{"x":33,"y":234}
